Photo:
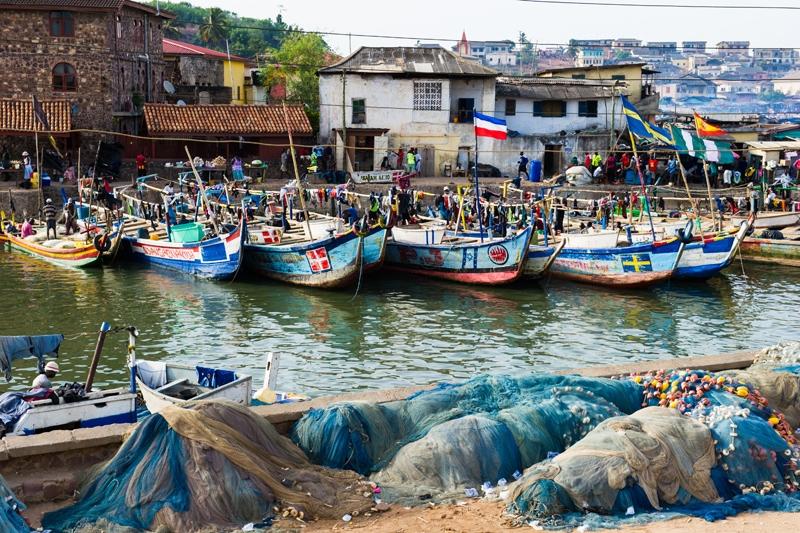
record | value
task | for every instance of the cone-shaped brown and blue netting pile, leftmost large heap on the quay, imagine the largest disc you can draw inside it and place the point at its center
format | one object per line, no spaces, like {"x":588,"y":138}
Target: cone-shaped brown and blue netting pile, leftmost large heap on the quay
{"x":210,"y":464}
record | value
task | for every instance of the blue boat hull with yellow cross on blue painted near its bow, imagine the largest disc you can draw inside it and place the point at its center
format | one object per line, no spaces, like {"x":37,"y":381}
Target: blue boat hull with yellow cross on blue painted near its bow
{"x":626,"y":267}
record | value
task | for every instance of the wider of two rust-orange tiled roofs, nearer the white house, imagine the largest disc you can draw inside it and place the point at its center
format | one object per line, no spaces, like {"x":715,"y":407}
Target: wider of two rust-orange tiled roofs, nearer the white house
{"x":225,"y":119}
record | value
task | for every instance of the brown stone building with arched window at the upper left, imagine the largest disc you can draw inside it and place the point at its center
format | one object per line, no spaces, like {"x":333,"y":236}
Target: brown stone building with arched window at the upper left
{"x":103,"y":57}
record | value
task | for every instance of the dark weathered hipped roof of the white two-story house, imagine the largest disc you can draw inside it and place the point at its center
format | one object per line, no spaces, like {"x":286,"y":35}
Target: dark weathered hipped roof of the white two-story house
{"x":408,"y":61}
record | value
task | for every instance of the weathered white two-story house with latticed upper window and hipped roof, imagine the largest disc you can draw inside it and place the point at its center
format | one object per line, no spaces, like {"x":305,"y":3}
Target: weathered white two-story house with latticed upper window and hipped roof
{"x":383,"y":99}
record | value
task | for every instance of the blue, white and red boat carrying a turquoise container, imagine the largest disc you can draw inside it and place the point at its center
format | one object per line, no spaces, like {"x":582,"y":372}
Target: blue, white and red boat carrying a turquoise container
{"x":187,"y":249}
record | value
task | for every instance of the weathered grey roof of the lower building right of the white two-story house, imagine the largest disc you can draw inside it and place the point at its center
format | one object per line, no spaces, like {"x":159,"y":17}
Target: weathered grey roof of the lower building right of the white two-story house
{"x":553,"y":88}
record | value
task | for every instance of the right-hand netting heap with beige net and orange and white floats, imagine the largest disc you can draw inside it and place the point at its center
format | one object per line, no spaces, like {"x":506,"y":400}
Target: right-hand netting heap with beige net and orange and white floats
{"x":700,"y":439}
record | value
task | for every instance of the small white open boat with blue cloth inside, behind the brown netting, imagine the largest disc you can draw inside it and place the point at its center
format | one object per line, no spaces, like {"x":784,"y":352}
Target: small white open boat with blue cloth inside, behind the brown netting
{"x":165,"y":384}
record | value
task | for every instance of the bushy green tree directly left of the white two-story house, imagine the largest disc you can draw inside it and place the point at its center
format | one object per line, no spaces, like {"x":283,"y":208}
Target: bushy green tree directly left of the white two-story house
{"x":295,"y":67}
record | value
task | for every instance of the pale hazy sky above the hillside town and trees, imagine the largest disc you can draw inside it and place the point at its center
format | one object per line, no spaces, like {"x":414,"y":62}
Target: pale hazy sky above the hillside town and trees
{"x":433,"y":20}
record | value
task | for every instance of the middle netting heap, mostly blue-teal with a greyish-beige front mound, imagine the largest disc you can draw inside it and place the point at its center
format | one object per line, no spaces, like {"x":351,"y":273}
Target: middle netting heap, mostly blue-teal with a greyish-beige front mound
{"x":456,"y":436}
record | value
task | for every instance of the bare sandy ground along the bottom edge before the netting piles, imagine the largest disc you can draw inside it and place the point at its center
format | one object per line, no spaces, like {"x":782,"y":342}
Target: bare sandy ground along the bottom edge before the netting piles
{"x":487,"y":517}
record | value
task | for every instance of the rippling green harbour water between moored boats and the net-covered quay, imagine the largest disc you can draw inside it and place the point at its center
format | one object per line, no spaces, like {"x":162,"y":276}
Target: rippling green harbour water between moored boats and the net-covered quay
{"x":398,"y":331}
